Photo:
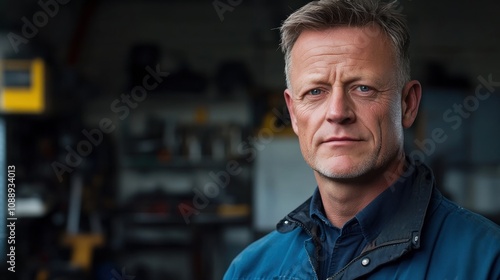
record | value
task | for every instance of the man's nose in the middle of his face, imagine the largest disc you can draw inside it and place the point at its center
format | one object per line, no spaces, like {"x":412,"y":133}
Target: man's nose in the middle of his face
{"x":340,"y":108}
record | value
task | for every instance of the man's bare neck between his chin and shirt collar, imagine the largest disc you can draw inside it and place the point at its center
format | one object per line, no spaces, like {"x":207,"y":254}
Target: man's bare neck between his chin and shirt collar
{"x":343,"y":199}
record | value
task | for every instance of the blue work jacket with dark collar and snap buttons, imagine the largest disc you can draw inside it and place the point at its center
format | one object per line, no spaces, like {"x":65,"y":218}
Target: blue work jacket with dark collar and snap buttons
{"x":429,"y":237}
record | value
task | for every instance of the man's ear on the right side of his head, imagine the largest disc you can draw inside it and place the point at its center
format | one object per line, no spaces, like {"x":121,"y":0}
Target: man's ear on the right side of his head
{"x":411,"y":95}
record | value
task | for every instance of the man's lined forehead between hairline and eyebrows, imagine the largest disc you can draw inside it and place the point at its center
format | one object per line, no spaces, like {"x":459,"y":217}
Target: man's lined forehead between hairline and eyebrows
{"x":349,"y":53}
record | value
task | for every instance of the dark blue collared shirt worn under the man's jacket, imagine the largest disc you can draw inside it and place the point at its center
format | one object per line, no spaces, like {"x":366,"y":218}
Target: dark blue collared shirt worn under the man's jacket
{"x":340,"y":246}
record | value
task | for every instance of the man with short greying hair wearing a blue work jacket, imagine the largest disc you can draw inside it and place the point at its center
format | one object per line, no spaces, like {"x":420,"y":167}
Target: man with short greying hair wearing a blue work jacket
{"x":376,"y":213}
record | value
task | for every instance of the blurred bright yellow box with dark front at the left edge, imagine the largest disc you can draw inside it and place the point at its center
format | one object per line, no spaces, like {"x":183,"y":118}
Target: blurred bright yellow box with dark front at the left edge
{"x":23,"y":86}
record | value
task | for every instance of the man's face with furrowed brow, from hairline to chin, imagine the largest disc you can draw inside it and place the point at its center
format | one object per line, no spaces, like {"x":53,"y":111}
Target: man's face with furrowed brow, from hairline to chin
{"x":345,"y":102}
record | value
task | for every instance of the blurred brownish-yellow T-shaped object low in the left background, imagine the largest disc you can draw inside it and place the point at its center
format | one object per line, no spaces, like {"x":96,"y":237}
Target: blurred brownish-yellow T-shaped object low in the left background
{"x":83,"y":245}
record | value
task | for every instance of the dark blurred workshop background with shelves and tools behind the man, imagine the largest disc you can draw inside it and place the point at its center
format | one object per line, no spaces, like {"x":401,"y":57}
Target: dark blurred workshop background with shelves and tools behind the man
{"x":150,"y":138}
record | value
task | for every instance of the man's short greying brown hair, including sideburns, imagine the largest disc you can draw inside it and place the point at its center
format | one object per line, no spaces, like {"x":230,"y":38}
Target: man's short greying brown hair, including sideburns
{"x":324,"y":14}
